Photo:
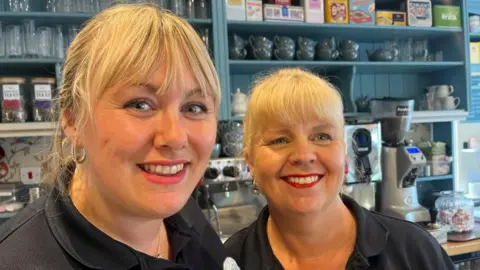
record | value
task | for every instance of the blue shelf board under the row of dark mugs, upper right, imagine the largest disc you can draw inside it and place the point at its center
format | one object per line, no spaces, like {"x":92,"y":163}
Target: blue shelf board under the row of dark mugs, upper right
{"x":362,"y":67}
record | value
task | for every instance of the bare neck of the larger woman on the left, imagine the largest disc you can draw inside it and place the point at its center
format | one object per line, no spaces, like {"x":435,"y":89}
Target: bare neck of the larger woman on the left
{"x":113,"y":219}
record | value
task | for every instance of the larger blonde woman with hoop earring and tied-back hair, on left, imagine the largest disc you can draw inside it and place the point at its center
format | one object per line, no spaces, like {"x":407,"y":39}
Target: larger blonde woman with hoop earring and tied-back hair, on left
{"x":138,"y":118}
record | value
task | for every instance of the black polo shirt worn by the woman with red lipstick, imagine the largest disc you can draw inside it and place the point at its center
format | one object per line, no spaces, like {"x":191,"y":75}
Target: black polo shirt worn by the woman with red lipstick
{"x":382,"y":243}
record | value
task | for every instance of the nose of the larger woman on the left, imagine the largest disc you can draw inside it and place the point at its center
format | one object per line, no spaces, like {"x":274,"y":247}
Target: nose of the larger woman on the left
{"x":170,"y":131}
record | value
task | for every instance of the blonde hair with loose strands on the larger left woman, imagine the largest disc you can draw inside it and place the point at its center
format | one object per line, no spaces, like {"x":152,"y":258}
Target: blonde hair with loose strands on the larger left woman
{"x":123,"y":46}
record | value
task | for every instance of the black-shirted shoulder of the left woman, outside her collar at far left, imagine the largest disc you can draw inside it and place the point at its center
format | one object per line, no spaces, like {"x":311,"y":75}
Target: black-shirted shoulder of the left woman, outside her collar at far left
{"x":27,"y":235}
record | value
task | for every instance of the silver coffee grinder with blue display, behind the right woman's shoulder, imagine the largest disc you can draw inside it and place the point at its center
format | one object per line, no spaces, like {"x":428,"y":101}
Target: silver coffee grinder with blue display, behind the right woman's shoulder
{"x":401,"y":162}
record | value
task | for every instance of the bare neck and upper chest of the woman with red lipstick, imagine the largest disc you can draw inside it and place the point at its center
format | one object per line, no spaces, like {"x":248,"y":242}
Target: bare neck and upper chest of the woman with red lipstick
{"x":307,"y":236}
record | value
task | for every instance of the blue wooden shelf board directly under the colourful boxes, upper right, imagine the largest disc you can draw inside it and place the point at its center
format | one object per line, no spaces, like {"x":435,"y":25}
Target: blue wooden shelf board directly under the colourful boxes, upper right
{"x":349,"y":31}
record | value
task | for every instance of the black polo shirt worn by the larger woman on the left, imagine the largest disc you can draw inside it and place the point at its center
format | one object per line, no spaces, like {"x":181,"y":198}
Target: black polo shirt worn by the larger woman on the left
{"x":51,"y":234}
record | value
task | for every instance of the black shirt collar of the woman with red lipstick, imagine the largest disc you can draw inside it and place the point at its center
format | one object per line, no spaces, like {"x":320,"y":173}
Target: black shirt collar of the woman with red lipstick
{"x":371,"y":237}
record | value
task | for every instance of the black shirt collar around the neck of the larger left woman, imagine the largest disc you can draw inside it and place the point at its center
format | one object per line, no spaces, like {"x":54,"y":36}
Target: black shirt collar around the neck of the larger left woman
{"x":93,"y":248}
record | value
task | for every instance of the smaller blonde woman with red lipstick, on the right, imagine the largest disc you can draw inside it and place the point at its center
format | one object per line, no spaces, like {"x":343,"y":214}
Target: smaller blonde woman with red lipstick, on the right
{"x":295,"y":149}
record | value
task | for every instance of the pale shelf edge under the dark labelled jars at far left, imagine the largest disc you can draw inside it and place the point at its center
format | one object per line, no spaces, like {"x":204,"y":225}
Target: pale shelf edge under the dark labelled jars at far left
{"x":8,"y":130}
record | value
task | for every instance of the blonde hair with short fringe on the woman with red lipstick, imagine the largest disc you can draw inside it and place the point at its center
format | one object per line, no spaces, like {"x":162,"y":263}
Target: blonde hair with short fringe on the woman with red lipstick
{"x":290,"y":96}
